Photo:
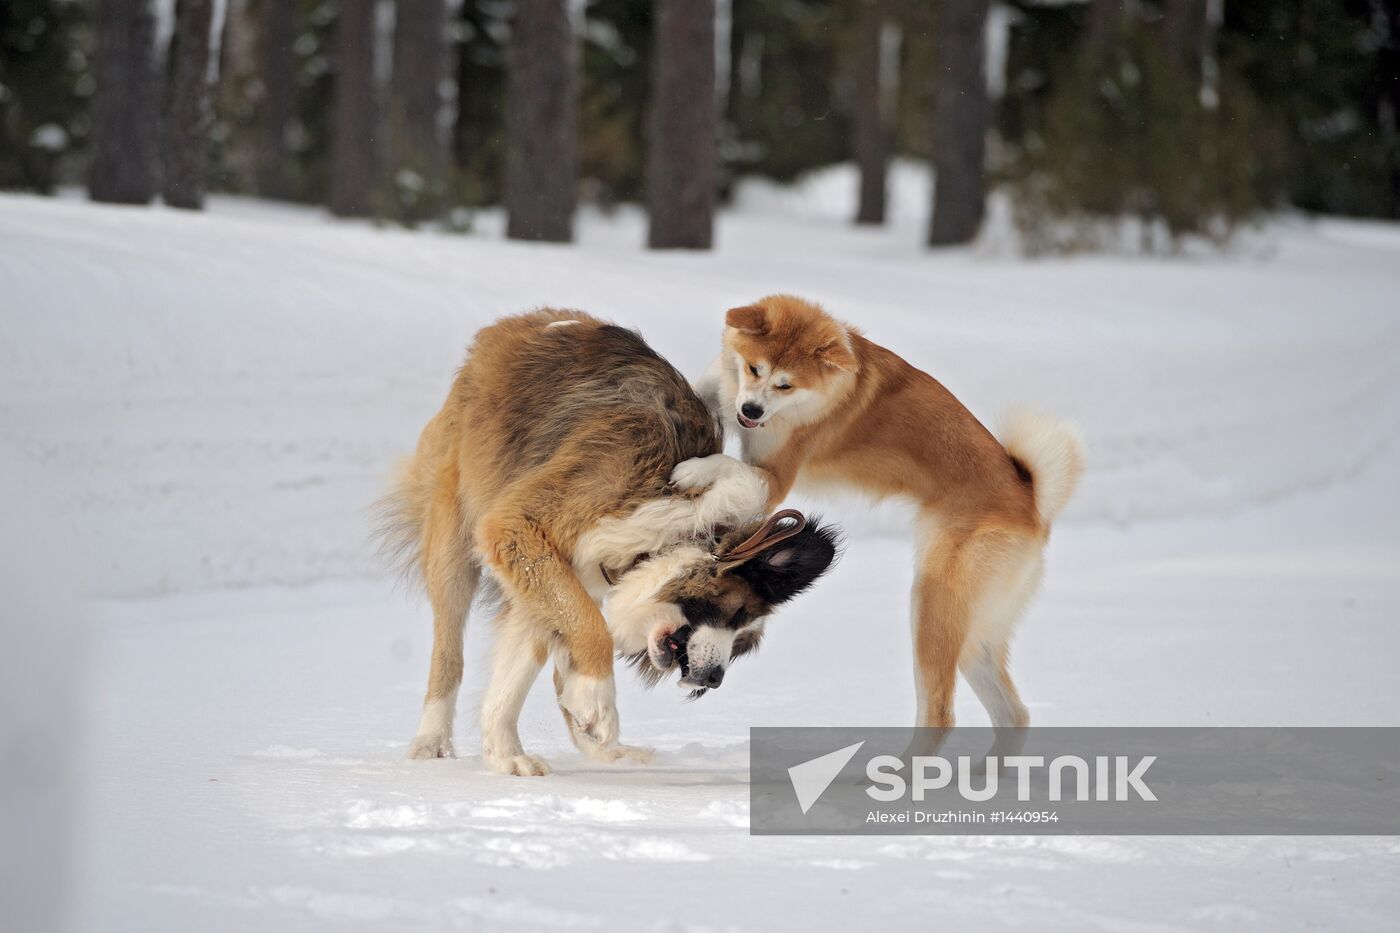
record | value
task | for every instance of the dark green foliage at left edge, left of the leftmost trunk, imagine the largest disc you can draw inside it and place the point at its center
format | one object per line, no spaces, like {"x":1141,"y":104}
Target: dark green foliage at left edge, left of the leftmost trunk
{"x":45,"y":85}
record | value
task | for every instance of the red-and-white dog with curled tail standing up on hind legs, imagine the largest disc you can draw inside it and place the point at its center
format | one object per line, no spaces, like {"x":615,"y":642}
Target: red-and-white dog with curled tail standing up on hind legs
{"x":821,"y":406}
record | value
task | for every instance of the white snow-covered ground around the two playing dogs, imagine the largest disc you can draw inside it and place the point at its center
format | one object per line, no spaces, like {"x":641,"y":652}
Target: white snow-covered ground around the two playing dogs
{"x":209,"y":404}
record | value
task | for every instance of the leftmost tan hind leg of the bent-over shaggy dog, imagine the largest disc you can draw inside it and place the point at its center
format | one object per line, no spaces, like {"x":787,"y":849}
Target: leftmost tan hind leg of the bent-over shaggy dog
{"x":451,"y":574}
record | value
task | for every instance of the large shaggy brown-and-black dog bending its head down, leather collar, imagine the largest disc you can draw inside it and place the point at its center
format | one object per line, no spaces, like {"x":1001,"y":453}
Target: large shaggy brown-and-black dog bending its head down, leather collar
{"x":579,"y":467}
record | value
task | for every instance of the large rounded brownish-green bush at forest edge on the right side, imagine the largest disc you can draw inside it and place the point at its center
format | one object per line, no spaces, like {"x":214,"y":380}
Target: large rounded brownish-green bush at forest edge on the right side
{"x":1135,"y":132}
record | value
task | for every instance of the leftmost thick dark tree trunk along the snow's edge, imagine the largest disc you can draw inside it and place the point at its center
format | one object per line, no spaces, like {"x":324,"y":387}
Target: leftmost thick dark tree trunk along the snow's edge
{"x":125,"y":109}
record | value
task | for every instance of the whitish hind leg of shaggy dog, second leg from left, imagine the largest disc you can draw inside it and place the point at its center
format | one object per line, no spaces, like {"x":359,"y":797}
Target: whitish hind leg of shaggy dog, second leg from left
{"x":517,"y":658}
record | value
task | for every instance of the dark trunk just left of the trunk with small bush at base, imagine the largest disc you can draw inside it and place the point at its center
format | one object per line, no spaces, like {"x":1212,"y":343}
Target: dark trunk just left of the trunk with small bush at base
{"x":353,"y":118}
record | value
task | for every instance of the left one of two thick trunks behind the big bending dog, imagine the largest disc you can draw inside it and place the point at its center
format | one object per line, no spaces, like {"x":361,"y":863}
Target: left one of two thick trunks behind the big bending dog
{"x":541,"y":124}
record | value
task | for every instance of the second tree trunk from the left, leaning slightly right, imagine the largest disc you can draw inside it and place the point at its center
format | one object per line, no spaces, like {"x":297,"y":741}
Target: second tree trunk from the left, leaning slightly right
{"x":187,"y":123}
